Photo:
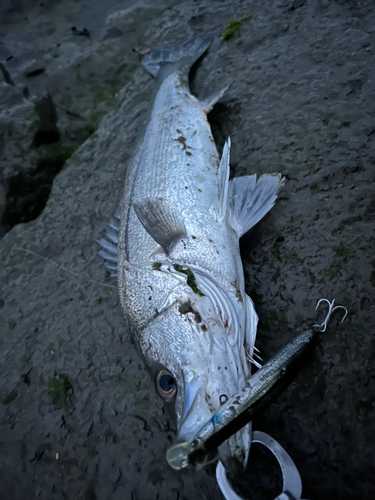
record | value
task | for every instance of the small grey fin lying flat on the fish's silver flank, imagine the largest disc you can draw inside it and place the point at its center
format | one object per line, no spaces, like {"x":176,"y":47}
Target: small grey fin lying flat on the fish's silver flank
{"x":162,"y":222}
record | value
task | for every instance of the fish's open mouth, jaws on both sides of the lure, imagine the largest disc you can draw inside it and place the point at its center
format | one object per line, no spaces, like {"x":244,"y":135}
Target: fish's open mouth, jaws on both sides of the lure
{"x":234,"y":452}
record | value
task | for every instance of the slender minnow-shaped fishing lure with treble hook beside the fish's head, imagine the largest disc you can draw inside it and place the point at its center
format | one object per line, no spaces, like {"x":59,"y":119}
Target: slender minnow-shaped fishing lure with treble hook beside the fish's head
{"x":268,"y":382}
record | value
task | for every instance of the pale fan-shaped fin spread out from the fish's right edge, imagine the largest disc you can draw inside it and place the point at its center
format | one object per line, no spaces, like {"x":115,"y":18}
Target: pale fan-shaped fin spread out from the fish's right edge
{"x":250,"y":199}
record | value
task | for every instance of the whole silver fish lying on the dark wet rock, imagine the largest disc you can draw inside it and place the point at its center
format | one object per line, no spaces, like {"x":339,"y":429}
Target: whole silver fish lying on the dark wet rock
{"x":173,"y":245}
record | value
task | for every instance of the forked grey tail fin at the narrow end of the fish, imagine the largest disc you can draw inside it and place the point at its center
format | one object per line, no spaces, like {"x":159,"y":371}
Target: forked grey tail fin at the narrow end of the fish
{"x":188,"y":53}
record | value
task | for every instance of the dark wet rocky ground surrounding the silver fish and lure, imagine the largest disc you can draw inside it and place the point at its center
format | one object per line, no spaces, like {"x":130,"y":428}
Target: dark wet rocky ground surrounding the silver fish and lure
{"x":79,"y":415}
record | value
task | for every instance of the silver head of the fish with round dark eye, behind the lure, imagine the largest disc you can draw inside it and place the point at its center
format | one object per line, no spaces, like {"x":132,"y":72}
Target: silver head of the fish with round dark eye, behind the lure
{"x":197,"y":367}
